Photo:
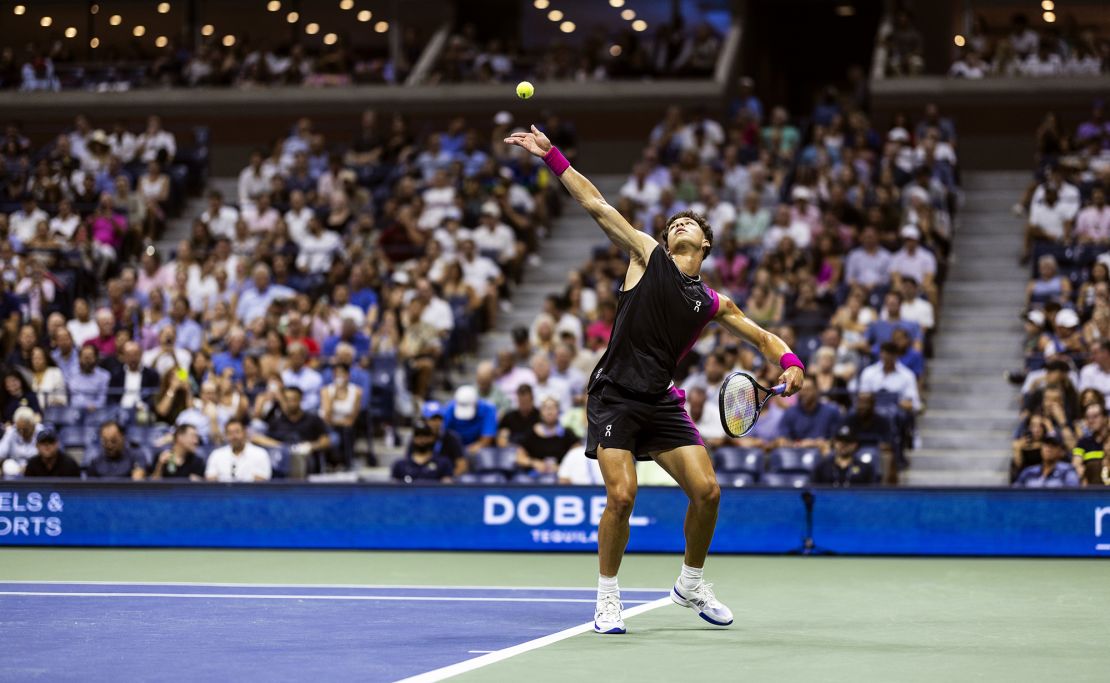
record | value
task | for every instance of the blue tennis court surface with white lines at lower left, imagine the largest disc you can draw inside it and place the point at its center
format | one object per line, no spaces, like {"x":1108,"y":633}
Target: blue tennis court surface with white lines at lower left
{"x":194,"y":632}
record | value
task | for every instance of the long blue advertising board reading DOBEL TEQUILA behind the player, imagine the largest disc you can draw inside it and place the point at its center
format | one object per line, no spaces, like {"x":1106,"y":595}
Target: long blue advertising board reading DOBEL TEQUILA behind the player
{"x":857,"y":521}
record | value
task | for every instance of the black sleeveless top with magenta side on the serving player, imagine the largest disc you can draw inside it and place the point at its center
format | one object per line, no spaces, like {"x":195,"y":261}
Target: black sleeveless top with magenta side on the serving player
{"x":658,"y":323}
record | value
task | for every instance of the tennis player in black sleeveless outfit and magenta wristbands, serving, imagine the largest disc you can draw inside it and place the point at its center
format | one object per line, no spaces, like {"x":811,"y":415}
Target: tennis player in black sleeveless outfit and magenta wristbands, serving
{"x":634,"y":410}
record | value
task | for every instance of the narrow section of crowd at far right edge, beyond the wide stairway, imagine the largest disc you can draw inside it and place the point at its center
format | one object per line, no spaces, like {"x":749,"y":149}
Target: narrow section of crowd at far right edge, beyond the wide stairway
{"x":1063,"y":437}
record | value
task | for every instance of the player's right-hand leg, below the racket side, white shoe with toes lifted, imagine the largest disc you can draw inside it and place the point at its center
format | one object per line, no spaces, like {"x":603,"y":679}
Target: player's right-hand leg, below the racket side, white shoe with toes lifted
{"x":692,"y":469}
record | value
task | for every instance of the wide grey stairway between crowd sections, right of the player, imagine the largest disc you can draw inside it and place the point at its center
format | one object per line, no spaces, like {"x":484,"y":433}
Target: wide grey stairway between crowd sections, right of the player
{"x":966,"y":433}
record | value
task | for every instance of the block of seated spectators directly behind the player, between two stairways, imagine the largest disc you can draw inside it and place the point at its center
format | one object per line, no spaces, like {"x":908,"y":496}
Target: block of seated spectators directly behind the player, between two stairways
{"x":831,"y":234}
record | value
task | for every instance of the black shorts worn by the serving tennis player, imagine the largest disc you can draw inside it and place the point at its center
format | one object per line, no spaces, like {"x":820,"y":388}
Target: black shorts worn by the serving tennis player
{"x":637,"y":423}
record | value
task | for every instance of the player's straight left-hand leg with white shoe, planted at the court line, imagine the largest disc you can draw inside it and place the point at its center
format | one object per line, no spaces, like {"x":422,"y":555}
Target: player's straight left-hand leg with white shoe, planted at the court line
{"x":619,"y":473}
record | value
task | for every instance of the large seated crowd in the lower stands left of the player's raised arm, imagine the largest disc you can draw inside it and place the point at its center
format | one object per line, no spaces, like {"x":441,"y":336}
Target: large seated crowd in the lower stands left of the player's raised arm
{"x":322,"y":303}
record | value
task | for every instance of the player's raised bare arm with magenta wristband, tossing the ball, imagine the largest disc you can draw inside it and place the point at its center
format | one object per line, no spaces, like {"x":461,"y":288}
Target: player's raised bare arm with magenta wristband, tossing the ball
{"x":637,"y":244}
